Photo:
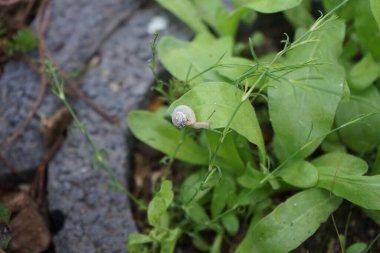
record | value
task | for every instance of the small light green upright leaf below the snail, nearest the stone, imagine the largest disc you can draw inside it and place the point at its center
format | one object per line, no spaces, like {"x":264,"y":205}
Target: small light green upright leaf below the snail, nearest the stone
{"x":161,"y":201}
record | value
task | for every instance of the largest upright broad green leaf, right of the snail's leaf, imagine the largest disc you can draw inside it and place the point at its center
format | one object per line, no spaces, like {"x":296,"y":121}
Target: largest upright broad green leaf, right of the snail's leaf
{"x":302,"y":104}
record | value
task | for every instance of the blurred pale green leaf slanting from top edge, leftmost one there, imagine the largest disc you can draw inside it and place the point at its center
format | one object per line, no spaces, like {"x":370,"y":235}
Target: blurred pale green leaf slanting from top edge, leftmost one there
{"x":185,"y":11}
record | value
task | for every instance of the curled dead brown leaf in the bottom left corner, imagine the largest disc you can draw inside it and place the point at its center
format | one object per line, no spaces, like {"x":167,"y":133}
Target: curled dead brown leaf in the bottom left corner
{"x":29,"y":226}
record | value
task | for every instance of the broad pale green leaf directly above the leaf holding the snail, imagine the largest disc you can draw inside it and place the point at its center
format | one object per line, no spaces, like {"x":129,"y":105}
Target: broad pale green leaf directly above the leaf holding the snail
{"x":185,"y":60}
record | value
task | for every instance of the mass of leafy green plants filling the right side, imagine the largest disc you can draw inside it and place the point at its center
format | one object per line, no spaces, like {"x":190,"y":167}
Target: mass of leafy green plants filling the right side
{"x":322,"y":151}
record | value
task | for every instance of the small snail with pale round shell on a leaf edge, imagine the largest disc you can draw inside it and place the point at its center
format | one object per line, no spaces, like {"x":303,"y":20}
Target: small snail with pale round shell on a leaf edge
{"x":183,"y":116}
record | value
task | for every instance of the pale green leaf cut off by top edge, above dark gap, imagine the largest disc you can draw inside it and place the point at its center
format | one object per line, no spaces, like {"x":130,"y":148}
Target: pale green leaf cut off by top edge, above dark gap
{"x":271,"y":6}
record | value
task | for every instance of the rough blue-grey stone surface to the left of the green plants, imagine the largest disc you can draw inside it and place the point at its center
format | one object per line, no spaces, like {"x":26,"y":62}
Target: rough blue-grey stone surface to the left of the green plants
{"x":97,"y":218}
